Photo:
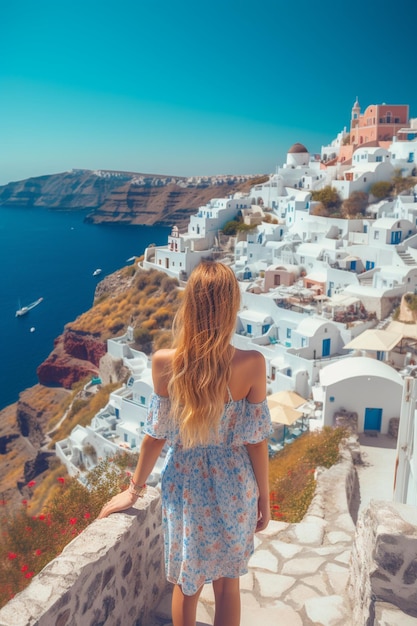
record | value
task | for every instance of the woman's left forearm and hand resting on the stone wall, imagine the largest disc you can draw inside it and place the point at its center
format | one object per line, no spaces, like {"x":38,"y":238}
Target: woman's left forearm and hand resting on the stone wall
{"x":149,"y":452}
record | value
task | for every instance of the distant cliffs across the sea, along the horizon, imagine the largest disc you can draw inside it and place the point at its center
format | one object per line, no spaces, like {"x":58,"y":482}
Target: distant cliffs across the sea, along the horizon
{"x":123,"y":197}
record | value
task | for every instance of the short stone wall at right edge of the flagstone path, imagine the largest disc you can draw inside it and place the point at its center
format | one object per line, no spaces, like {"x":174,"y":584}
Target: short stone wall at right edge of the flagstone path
{"x":383,"y":573}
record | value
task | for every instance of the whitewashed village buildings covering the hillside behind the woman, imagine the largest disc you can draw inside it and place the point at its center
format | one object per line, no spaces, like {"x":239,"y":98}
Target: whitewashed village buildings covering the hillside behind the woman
{"x":320,"y":295}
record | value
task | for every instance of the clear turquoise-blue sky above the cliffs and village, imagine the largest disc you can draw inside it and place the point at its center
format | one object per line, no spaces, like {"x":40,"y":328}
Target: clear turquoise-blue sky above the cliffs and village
{"x":192,"y":88}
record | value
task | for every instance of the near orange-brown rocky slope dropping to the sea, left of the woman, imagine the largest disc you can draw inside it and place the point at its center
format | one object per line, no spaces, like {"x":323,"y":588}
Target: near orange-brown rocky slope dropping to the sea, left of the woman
{"x":148,"y":301}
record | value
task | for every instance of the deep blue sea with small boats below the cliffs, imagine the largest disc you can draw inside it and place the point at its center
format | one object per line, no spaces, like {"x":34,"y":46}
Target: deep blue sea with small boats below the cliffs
{"x":52,"y":254}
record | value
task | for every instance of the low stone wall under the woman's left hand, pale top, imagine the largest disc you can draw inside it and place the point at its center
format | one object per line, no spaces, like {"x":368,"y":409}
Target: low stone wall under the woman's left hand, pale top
{"x":112,"y":573}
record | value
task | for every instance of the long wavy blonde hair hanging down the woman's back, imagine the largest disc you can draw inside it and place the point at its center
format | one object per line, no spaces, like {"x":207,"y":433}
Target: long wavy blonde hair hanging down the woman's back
{"x":203,"y":328}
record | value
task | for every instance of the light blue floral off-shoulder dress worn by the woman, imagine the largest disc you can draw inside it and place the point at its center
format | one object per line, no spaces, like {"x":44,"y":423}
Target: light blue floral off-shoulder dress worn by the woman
{"x":209,"y":494}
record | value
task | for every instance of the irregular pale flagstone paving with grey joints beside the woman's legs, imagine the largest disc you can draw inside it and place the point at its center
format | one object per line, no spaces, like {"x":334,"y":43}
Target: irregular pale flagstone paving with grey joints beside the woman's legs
{"x":293,"y":579}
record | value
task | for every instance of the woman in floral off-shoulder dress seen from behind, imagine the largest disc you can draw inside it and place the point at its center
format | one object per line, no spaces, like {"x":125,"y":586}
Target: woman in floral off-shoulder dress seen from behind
{"x":209,"y":404}
